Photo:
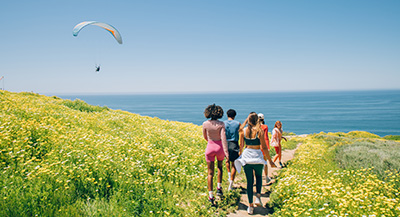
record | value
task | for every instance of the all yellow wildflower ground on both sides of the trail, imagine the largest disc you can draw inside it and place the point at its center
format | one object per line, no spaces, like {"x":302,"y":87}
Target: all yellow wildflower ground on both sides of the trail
{"x":67,"y":158}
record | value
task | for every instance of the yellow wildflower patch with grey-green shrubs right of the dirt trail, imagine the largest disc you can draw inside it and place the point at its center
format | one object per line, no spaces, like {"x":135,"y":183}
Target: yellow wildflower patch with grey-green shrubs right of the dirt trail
{"x":340,"y":174}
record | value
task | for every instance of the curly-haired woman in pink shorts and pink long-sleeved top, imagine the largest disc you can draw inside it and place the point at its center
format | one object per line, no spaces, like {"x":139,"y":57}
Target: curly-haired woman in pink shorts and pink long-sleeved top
{"x":214,"y":134}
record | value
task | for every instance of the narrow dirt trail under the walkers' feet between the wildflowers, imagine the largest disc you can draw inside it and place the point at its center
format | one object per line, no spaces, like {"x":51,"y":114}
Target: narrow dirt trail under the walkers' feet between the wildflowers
{"x":241,"y":183}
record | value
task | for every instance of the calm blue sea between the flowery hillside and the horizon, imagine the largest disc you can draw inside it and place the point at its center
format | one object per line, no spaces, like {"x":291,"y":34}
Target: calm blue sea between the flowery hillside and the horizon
{"x":300,"y":112}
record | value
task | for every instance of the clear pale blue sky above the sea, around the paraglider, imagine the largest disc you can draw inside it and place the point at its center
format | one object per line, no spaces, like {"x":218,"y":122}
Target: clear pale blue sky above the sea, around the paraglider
{"x":200,"y":46}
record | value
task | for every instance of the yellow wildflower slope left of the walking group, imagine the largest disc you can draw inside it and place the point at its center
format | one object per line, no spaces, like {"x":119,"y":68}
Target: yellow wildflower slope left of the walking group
{"x":67,"y":158}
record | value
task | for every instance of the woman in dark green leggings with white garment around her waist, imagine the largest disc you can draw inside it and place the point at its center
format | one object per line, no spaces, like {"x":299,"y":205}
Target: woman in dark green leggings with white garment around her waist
{"x":252,"y":158}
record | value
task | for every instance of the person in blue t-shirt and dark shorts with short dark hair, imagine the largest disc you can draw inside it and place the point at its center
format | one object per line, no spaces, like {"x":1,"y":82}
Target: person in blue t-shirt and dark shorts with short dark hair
{"x":232,"y":137}
